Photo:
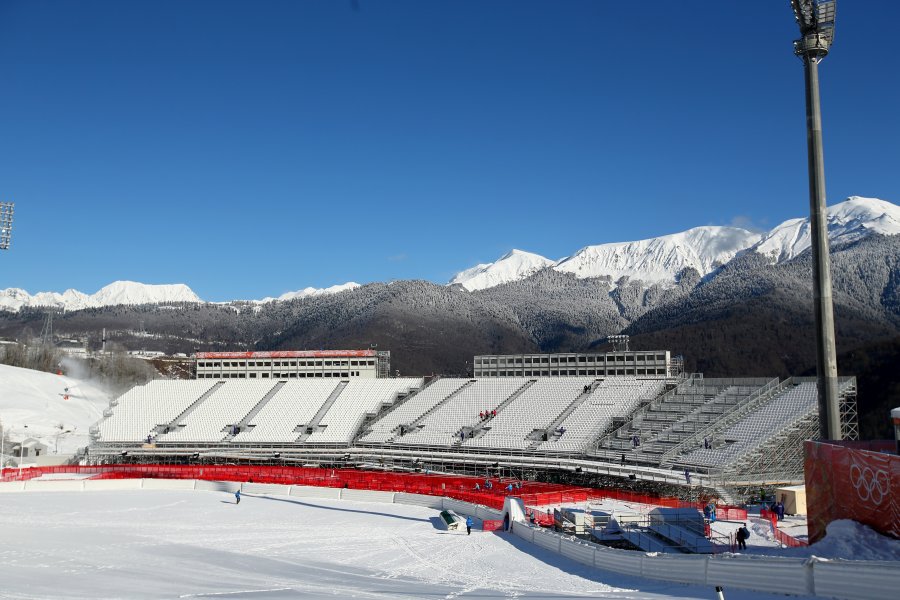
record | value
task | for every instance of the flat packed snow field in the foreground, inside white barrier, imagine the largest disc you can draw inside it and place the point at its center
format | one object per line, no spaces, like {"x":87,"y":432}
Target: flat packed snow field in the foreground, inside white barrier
{"x":183,"y":544}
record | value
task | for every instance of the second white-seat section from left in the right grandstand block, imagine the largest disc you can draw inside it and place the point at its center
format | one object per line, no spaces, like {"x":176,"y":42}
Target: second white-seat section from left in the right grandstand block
{"x":441,"y":426}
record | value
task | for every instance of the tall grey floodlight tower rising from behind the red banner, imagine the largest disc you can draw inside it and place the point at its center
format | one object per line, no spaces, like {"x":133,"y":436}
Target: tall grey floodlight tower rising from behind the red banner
{"x":816,"y":21}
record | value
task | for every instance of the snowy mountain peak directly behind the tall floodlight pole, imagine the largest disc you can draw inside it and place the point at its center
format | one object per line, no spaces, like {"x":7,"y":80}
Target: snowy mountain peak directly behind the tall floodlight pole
{"x":848,"y":221}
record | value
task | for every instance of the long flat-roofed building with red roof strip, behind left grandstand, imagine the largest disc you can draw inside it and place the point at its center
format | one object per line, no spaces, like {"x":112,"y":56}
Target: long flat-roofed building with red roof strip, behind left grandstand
{"x":293,"y":364}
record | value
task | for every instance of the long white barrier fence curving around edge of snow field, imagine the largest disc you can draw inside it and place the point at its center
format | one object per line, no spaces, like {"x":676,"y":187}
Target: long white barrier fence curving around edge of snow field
{"x":842,"y":579}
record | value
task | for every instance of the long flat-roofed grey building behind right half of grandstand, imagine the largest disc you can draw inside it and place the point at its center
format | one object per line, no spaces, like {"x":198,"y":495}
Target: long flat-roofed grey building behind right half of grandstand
{"x":639,"y":363}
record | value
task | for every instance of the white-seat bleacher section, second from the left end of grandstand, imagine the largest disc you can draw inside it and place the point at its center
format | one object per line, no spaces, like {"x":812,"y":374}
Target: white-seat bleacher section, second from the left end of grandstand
{"x":225,"y":406}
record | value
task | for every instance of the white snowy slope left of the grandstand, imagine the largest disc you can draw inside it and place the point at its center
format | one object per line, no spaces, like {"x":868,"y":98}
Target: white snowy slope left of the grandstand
{"x":54,"y":409}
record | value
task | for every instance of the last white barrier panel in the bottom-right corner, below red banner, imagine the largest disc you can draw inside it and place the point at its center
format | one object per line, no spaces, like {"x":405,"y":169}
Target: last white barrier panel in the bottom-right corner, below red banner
{"x":856,"y":580}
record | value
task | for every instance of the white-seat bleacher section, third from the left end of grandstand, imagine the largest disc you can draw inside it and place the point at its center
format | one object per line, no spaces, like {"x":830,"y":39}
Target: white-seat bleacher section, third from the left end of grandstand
{"x":296,"y":403}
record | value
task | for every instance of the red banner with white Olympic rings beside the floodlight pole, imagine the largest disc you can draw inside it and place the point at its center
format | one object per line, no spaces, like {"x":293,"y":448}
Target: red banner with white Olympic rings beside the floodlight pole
{"x":846,"y":483}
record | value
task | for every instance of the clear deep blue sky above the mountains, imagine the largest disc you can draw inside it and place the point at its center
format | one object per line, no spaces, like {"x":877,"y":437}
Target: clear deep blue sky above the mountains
{"x":248,"y":149}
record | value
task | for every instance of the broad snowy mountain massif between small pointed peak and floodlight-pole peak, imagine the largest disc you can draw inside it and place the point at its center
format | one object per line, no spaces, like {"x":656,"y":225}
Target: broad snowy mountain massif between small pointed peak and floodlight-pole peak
{"x":660,"y":259}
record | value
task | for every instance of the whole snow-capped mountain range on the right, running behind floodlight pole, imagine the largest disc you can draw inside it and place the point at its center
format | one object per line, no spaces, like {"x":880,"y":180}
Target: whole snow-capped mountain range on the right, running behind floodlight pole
{"x":660,"y":259}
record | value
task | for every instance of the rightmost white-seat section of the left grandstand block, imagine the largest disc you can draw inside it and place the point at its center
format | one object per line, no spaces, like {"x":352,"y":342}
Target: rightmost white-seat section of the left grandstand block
{"x":359,"y":398}
